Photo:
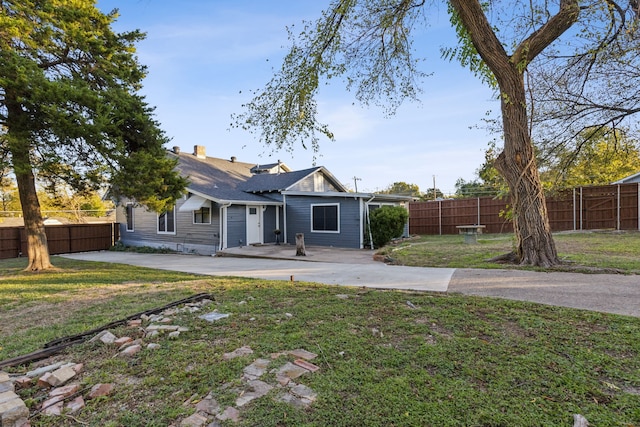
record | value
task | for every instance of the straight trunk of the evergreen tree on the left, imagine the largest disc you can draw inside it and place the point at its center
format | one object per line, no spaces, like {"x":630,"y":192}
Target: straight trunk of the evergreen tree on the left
{"x":18,"y":137}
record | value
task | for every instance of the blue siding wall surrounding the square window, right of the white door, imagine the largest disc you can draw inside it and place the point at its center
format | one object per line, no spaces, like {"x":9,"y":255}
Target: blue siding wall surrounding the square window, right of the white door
{"x":299,"y":221}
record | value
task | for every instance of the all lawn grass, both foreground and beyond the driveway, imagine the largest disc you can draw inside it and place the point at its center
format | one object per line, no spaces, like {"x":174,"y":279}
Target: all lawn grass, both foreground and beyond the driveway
{"x":452,"y":360}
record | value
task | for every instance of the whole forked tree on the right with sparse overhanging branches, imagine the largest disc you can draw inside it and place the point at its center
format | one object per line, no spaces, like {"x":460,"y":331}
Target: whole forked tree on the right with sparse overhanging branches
{"x":370,"y":44}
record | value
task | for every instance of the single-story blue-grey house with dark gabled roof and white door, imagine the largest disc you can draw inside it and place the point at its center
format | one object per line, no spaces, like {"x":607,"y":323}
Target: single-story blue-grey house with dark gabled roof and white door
{"x":231,"y":203}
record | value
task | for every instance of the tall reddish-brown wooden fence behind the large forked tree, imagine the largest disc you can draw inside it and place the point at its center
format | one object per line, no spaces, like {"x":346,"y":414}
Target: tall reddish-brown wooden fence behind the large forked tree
{"x":585,"y":208}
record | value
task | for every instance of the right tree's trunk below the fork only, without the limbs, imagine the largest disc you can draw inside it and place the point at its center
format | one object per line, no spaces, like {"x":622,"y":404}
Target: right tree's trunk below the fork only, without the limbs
{"x":517,"y":163}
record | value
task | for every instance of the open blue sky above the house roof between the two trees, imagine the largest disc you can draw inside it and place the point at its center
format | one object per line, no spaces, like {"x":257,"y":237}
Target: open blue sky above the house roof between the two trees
{"x":206,"y":56}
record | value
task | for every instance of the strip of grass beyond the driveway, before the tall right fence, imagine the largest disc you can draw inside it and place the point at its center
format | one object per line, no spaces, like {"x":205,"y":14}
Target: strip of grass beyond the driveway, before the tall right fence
{"x":589,"y":251}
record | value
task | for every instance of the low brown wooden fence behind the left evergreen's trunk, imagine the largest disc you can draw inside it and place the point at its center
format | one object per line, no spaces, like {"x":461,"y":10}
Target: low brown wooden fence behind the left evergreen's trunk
{"x":61,"y":239}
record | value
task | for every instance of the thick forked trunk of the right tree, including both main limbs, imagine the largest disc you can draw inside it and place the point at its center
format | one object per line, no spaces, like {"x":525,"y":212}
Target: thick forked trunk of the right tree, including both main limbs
{"x":517,"y":162}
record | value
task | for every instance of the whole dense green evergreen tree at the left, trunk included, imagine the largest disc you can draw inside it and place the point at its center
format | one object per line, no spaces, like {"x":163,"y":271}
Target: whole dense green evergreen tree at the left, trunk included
{"x":70,"y":111}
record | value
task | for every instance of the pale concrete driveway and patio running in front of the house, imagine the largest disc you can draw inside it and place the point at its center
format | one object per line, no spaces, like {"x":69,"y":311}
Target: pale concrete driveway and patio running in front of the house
{"x":610,"y":293}
